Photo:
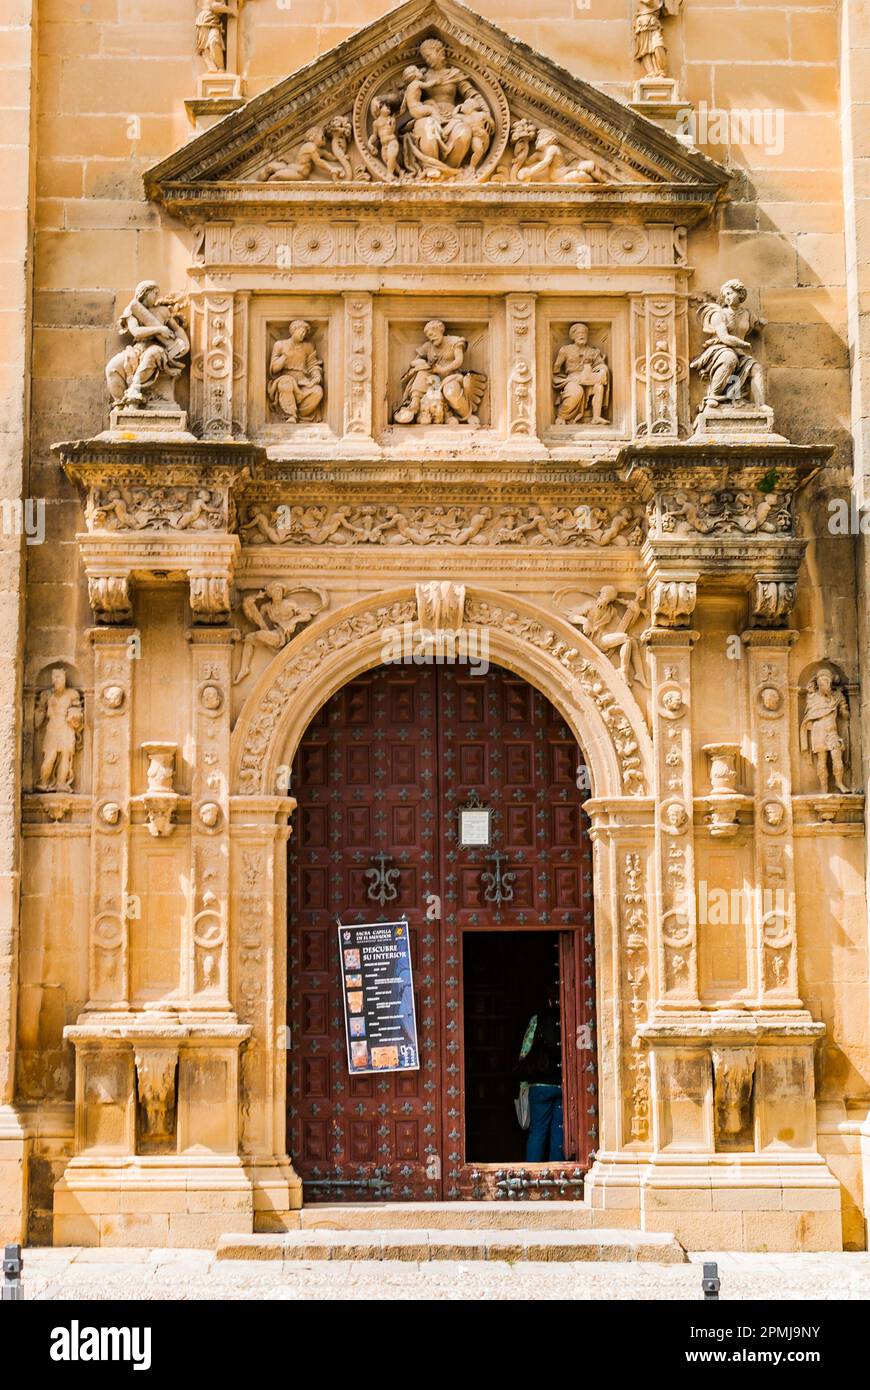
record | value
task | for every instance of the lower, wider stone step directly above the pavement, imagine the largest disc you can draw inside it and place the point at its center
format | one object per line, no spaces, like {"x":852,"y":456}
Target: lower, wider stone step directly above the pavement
{"x":423,"y":1246}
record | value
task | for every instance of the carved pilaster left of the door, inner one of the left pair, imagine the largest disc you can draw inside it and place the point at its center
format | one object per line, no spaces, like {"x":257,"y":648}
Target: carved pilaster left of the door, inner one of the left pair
{"x":208,"y":964}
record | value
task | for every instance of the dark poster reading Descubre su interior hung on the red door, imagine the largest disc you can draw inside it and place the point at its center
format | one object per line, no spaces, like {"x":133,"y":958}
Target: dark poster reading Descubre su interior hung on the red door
{"x":379,"y":993}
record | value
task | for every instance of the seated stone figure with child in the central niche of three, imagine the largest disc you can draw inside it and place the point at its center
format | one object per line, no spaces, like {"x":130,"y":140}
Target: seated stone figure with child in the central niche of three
{"x":436,"y":389}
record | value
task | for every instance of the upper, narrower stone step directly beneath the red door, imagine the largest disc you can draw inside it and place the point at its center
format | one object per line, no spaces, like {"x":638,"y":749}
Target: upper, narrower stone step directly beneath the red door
{"x":507,"y":1216}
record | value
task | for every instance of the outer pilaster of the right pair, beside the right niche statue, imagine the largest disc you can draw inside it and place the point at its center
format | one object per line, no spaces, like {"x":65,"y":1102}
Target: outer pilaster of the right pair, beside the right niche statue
{"x":776,"y":945}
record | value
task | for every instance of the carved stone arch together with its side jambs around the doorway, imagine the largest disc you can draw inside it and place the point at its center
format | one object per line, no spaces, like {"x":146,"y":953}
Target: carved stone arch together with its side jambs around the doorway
{"x":579,"y":682}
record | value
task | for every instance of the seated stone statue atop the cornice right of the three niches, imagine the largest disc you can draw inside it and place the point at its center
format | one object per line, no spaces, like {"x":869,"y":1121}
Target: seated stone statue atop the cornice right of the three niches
{"x":726,"y":362}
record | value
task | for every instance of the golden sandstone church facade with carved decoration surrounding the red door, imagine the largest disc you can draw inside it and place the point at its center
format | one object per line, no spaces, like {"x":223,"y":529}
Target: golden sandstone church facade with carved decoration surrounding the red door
{"x":447,"y":306}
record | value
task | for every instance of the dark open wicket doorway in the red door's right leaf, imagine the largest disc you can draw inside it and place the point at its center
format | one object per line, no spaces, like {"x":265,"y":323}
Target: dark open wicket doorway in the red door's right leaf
{"x":505,"y":975}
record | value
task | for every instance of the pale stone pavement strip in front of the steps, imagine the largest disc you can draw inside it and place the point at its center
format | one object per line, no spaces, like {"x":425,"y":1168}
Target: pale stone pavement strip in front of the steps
{"x":195,"y":1274}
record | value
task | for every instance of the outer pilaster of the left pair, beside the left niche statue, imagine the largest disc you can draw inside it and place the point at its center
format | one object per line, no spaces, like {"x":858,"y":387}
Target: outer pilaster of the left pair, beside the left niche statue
{"x":110,"y":903}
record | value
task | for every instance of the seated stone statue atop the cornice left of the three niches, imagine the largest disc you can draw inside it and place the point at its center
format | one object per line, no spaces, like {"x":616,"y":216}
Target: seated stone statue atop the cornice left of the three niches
{"x":148,"y":368}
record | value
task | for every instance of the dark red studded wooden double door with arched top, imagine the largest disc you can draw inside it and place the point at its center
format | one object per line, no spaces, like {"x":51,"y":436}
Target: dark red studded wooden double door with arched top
{"x":383,"y":771}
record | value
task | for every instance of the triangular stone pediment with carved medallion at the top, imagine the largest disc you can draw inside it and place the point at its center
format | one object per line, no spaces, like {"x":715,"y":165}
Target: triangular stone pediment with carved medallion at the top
{"x":434,"y":97}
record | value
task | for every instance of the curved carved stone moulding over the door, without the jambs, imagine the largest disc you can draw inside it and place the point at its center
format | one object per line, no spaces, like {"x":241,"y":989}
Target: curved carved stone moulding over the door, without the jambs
{"x":564,"y":665}
